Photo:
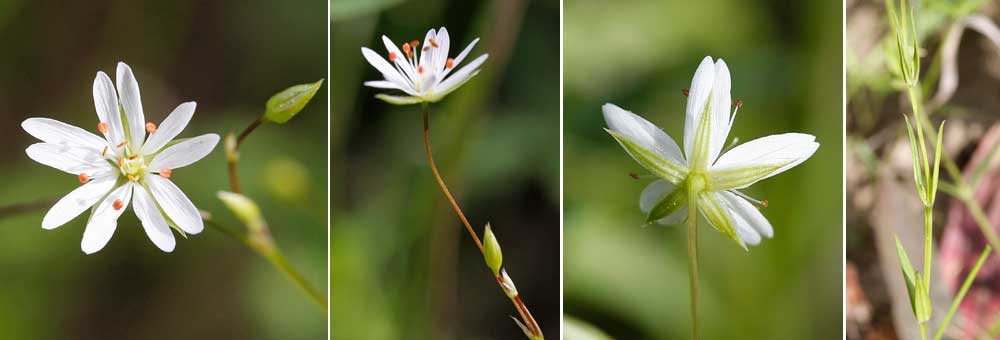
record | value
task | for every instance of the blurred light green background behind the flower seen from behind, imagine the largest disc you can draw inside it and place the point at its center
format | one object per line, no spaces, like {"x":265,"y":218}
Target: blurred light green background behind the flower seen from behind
{"x":632,"y":282}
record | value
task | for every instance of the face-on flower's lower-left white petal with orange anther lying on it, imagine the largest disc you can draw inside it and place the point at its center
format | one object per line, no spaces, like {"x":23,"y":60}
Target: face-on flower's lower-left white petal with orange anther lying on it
{"x":104,"y":220}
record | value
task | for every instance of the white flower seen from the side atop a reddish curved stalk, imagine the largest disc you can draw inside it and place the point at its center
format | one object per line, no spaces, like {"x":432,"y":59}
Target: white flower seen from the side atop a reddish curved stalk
{"x":421,"y":73}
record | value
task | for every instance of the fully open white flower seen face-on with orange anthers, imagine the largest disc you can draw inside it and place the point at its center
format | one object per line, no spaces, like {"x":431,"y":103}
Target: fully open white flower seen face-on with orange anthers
{"x":122,"y":166}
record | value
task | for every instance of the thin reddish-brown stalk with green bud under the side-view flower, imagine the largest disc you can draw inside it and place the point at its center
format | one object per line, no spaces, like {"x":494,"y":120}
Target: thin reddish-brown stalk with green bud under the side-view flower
{"x":492,"y":254}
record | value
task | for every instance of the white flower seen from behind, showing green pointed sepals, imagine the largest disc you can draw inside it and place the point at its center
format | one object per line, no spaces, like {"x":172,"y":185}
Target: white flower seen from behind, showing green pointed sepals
{"x":715,"y":180}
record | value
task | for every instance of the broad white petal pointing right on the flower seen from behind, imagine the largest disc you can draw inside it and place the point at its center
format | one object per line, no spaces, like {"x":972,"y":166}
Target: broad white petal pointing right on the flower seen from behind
{"x":784,"y":150}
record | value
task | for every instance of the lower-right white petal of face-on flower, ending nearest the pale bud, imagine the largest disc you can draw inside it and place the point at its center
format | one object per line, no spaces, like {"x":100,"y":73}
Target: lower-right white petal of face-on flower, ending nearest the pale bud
{"x":175,"y":204}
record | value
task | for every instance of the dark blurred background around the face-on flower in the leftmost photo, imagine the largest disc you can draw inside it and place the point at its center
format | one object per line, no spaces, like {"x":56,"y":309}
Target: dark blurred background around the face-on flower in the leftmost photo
{"x":230,"y":57}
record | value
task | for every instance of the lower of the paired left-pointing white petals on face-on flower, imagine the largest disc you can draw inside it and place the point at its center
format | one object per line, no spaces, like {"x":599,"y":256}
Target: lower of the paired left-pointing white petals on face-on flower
{"x":70,"y":159}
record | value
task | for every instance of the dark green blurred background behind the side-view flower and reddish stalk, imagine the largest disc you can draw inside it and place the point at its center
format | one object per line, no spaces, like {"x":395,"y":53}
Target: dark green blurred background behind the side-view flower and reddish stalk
{"x":402,"y":265}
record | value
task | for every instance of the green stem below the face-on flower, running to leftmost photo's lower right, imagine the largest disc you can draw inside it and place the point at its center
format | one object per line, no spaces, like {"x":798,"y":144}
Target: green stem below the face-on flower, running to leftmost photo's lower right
{"x":267,"y":249}
